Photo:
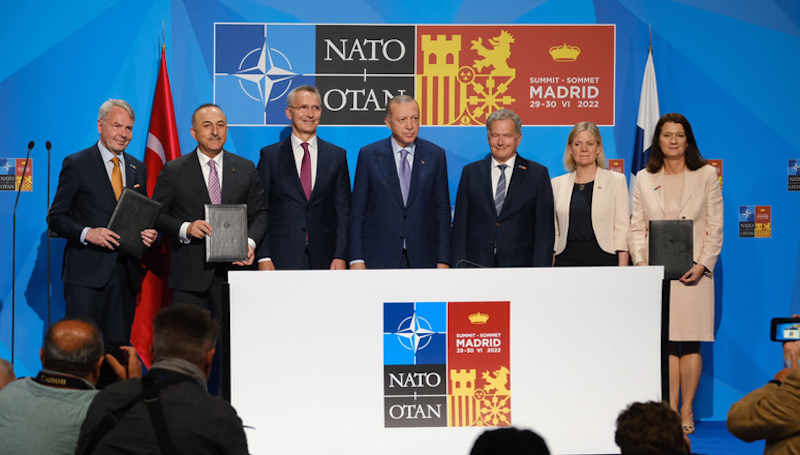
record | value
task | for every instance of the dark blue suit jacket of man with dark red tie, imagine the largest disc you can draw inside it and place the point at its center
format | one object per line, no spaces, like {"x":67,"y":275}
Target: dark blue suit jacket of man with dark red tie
{"x":305,"y":233}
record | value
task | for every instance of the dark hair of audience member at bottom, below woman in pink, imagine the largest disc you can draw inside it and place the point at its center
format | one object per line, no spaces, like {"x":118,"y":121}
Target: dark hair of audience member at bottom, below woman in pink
{"x":649,"y":428}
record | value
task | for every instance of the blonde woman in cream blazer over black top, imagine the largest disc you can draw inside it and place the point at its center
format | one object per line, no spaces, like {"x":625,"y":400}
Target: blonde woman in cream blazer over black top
{"x":591,"y":205}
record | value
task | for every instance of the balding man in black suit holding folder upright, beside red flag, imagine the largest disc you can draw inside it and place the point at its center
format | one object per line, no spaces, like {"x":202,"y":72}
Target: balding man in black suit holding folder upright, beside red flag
{"x":207,"y":175}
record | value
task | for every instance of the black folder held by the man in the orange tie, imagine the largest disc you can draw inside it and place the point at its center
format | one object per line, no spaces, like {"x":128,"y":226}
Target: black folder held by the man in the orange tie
{"x":134,"y":213}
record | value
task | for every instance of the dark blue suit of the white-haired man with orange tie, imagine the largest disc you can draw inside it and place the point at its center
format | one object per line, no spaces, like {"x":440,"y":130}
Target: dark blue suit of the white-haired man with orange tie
{"x":85,"y":198}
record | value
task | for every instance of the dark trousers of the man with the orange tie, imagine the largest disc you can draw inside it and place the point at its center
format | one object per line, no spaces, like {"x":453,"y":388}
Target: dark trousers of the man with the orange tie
{"x":111,"y":307}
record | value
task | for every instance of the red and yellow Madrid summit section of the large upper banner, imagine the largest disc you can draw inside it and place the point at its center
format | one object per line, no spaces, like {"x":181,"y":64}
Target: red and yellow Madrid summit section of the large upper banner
{"x":549,"y":75}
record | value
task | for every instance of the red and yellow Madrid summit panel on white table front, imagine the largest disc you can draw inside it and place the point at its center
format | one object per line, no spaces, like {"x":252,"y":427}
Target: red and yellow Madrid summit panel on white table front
{"x":478,"y":364}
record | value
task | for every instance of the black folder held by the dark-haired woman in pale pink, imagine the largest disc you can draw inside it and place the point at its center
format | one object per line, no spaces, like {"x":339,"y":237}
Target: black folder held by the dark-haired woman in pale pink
{"x":672,"y":245}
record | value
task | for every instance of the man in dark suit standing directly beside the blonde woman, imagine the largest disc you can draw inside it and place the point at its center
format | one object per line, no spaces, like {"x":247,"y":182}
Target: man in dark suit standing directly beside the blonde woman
{"x":504,"y":205}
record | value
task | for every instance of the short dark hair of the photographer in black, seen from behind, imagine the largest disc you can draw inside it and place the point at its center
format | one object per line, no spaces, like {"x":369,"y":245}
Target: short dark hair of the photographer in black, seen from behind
{"x":184,"y":331}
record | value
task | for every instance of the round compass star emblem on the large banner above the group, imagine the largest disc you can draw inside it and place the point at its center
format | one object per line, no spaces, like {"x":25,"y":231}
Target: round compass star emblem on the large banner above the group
{"x":261,"y":79}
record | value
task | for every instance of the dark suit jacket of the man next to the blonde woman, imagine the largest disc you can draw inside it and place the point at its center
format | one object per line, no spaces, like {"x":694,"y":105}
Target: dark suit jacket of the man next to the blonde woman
{"x":524,"y":231}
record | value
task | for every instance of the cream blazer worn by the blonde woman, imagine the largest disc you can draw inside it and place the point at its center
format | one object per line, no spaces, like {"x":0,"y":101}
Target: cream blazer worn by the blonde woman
{"x":610,"y":209}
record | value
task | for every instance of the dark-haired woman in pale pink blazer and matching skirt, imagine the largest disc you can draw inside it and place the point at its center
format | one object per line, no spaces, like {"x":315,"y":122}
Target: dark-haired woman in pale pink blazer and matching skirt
{"x":678,"y":184}
